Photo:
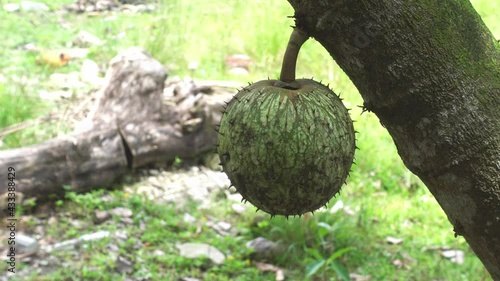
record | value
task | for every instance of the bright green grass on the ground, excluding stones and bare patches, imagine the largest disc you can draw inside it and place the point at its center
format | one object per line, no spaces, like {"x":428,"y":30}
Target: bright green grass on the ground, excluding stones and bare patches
{"x":386,"y":199}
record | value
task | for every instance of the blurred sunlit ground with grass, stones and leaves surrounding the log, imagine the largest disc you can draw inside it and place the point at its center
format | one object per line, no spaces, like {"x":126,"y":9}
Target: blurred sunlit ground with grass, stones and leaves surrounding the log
{"x":385,"y":225}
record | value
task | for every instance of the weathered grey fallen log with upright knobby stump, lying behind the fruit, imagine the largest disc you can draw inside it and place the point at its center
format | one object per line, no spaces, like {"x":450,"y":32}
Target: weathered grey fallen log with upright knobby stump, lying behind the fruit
{"x":134,"y":123}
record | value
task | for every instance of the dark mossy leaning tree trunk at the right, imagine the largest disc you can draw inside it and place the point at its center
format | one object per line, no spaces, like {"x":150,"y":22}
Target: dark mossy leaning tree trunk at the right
{"x":430,"y":70}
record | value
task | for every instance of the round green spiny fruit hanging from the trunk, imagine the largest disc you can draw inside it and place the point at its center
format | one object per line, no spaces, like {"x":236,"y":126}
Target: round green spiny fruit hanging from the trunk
{"x":288,"y":148}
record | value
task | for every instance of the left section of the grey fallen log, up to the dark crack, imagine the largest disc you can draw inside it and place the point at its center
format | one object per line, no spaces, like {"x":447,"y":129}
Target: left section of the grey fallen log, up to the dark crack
{"x":82,"y":162}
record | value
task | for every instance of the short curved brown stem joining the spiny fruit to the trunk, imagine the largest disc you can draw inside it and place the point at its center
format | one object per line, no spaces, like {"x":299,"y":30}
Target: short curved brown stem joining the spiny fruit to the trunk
{"x":296,"y":40}
